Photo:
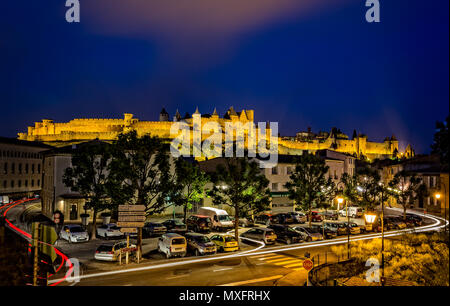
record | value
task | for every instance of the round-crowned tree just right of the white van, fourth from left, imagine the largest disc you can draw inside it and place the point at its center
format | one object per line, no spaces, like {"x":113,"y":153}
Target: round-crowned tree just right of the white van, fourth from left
{"x":240,"y":184}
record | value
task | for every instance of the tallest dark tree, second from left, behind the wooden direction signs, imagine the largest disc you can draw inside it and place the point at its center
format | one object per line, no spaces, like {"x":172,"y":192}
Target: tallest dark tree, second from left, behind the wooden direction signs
{"x":140,"y":173}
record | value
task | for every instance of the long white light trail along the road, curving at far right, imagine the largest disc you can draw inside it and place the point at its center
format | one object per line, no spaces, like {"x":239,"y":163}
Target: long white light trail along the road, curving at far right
{"x":432,"y":227}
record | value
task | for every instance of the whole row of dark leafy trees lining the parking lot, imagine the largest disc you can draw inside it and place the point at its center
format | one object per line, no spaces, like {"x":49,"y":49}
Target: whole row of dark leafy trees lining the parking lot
{"x":137,"y":170}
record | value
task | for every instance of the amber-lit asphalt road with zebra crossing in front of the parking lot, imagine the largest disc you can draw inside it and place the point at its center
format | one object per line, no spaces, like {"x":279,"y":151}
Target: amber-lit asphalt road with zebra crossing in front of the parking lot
{"x":262,"y":266}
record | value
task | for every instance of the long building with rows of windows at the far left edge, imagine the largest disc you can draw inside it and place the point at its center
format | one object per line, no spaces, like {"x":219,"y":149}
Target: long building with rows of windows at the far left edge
{"x":20,"y":167}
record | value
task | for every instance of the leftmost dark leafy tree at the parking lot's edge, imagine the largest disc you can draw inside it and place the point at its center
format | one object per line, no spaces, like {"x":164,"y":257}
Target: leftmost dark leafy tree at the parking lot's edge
{"x":89,"y":176}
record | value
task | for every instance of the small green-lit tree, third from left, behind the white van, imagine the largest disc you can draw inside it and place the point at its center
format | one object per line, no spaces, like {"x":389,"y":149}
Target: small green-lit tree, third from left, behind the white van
{"x":189,"y":185}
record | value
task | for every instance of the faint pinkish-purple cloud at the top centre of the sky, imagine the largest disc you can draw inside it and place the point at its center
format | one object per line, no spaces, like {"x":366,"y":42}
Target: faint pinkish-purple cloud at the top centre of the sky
{"x":193,"y":27}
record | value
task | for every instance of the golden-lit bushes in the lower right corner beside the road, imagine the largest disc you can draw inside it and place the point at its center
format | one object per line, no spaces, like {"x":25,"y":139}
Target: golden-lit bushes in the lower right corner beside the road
{"x":419,"y":258}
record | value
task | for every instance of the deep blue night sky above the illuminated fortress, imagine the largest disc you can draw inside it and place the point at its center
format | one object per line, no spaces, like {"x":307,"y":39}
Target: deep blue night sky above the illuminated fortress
{"x":301,"y":63}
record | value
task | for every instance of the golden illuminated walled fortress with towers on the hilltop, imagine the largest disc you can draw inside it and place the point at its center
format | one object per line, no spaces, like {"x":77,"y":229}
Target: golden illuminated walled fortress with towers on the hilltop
{"x":78,"y":130}
